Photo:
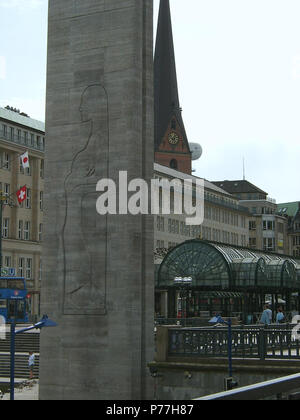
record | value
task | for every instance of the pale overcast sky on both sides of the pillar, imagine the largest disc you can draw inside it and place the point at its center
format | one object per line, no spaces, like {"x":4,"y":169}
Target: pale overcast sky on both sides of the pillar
{"x":238,"y":68}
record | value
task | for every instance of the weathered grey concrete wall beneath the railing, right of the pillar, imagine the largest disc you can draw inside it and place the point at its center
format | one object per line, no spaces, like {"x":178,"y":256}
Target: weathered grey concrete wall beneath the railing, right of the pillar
{"x":186,"y":380}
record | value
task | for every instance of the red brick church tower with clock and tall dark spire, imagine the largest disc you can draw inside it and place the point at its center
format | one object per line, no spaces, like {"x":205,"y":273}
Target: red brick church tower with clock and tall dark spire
{"x":171,"y":143}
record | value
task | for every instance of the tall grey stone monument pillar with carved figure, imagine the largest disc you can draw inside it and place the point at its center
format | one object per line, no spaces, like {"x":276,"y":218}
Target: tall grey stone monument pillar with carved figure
{"x":97,"y":278}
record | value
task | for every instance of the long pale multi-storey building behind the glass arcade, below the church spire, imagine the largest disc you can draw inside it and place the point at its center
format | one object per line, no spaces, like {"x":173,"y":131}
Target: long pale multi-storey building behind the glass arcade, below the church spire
{"x":224,"y":219}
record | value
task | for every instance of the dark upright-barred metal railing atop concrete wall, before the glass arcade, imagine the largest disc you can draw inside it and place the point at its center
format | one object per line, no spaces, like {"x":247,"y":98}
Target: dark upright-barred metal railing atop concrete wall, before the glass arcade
{"x":274,"y":342}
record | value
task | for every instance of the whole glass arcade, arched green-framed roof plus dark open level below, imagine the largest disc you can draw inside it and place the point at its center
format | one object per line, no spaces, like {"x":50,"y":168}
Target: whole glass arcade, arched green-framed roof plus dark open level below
{"x":227,"y":279}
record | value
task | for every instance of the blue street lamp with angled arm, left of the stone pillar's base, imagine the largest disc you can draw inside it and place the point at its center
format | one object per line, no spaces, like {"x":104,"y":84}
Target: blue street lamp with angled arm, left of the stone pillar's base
{"x":44,"y":322}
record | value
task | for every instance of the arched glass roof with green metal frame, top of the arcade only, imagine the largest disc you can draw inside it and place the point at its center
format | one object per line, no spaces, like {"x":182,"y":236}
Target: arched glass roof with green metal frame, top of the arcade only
{"x":215,"y":266}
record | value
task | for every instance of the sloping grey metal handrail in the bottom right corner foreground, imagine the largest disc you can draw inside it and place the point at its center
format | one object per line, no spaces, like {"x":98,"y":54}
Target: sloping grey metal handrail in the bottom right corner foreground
{"x":275,"y":387}
